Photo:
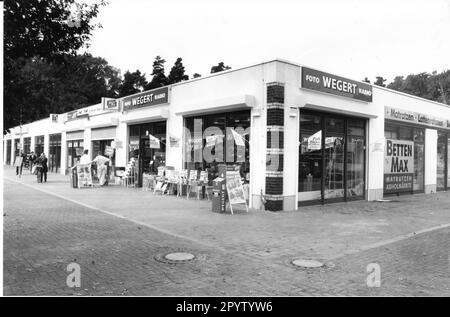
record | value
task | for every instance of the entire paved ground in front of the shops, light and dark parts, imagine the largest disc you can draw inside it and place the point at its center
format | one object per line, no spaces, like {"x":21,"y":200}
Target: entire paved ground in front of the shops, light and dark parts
{"x":119,"y":236}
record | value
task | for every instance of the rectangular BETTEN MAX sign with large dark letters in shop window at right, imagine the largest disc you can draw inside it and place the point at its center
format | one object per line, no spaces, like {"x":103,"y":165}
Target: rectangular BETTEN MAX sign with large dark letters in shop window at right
{"x":398,"y":166}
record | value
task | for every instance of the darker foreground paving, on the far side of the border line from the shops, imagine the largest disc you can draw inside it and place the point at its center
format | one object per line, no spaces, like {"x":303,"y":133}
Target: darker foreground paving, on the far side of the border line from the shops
{"x":43,"y":234}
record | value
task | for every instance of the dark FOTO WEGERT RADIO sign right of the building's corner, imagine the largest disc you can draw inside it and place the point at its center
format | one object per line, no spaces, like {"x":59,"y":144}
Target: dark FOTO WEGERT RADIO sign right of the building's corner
{"x":336,"y":85}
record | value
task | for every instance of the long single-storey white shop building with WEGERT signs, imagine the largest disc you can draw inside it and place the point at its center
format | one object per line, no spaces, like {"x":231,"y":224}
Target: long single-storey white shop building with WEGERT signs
{"x":307,"y":136}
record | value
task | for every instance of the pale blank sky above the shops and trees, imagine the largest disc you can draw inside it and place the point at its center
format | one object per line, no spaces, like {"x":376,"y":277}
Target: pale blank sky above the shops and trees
{"x":355,"y":39}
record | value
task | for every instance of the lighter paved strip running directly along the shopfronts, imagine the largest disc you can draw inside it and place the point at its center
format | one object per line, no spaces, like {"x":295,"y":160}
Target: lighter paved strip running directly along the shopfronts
{"x":318,"y":232}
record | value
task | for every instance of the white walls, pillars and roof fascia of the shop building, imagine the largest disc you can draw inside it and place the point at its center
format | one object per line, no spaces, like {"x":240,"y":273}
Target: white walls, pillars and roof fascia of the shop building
{"x":246,"y":88}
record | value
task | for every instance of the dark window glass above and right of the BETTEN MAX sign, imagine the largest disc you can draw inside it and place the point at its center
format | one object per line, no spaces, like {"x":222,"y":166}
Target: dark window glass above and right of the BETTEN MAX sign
{"x":396,"y":131}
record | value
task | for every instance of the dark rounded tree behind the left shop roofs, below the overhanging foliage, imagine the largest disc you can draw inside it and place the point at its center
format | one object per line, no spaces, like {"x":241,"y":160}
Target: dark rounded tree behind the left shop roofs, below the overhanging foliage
{"x":78,"y":81}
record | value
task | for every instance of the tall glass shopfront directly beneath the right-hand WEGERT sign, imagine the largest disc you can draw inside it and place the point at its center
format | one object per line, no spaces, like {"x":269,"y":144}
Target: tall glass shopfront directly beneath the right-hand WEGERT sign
{"x":332,"y":158}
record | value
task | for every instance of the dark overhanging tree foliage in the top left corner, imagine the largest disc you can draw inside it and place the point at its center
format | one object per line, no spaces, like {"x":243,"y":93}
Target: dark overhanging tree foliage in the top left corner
{"x":47,"y":28}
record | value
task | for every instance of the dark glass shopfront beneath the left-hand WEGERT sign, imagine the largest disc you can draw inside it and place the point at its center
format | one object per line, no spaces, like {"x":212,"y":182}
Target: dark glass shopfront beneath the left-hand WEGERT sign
{"x":147,"y":159}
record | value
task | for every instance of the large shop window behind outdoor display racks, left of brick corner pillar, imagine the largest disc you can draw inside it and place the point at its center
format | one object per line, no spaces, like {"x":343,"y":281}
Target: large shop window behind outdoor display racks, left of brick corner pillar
{"x":210,"y":142}
